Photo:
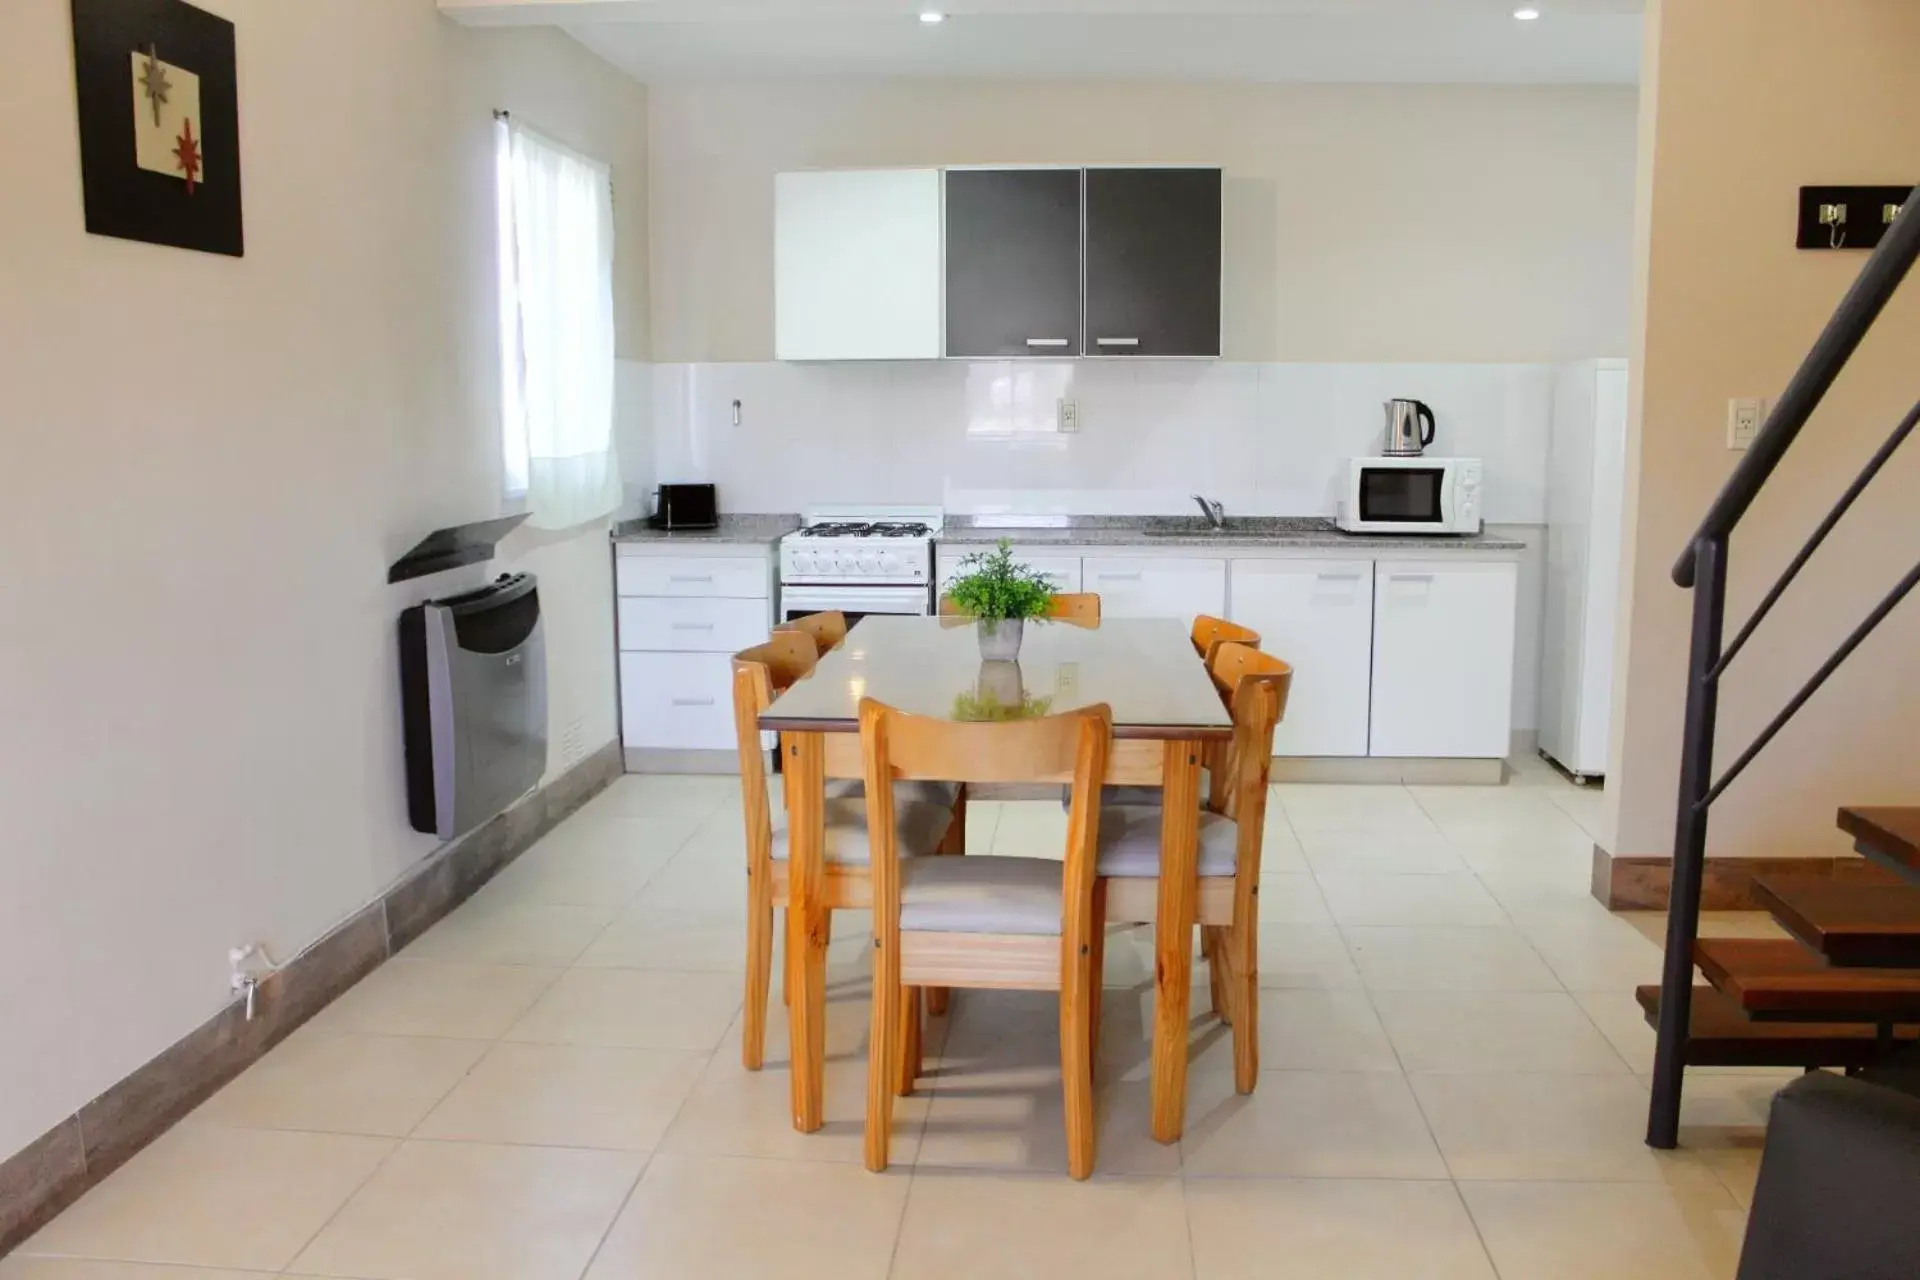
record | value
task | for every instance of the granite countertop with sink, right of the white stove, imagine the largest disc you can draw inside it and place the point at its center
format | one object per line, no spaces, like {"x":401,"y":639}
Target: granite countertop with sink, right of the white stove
{"x":1191,"y":533}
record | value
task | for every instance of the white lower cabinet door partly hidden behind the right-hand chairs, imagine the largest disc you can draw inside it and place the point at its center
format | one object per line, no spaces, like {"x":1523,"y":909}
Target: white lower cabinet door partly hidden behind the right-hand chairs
{"x":1318,"y":617}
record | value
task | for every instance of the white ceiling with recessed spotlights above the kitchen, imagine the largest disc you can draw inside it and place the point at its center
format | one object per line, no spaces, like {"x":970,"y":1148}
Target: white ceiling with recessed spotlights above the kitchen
{"x":1259,"y":41}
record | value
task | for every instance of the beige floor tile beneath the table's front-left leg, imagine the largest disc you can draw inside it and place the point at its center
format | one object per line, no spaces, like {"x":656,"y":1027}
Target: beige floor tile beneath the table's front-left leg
{"x":750,"y":1114}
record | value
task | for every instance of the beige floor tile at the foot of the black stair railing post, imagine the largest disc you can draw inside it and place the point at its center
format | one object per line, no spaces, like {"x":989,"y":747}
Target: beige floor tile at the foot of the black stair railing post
{"x":1566,"y":1127}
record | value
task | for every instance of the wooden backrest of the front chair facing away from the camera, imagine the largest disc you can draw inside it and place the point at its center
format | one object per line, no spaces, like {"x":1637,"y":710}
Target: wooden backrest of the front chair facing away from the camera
{"x":1070,"y":747}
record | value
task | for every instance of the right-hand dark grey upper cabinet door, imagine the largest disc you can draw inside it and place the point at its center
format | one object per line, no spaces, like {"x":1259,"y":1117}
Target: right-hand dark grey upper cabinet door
{"x":1153,"y":262}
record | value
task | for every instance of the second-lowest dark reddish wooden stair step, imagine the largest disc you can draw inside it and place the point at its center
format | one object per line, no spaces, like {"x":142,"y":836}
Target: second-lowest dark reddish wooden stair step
{"x":1781,"y":980}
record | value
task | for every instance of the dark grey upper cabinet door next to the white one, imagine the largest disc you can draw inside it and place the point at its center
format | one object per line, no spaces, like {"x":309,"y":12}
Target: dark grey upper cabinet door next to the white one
{"x":1013,"y":262}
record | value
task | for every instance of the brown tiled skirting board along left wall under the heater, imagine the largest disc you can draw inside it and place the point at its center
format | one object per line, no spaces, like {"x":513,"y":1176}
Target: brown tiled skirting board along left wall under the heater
{"x":108,"y":1131}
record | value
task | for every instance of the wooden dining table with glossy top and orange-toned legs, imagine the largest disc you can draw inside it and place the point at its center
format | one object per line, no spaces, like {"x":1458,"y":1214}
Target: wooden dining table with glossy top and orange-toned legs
{"x":1164,"y":709}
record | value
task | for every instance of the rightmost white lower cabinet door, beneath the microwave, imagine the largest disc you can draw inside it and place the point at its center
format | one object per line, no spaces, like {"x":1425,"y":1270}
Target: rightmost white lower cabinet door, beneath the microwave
{"x":1443,"y":659}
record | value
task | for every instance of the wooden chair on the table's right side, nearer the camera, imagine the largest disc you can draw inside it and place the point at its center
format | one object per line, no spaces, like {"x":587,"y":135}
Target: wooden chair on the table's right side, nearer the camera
{"x":1230,"y":853}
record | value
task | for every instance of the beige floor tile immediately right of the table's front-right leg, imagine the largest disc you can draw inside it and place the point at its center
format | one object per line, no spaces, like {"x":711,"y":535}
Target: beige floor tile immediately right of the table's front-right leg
{"x":1310,"y":1126}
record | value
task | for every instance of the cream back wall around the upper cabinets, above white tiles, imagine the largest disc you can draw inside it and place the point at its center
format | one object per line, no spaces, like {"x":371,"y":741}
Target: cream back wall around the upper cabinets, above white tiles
{"x":1364,"y":224}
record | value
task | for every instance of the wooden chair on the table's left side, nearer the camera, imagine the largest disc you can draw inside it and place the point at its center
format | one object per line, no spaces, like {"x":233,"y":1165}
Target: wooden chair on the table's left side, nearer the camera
{"x":921,"y":826}
